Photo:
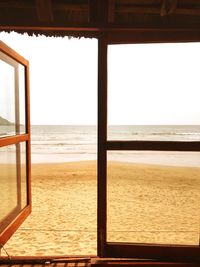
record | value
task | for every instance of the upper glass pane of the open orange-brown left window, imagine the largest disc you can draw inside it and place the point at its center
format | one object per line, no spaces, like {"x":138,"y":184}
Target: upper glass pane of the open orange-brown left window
{"x":12,"y":97}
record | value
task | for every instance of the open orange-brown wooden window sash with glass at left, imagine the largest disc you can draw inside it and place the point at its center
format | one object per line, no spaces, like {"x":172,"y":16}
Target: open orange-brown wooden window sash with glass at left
{"x":14,"y":142}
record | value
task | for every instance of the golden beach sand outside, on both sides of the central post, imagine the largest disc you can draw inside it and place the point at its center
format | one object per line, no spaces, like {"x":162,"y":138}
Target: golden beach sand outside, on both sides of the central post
{"x":146,"y":203}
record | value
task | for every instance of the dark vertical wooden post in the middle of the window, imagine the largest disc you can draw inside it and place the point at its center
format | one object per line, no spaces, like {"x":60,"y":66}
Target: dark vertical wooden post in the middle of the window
{"x":102,"y":153}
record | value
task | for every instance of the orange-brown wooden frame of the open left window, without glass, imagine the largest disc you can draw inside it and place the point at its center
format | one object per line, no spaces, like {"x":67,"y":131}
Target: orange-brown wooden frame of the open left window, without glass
{"x":15,"y":218}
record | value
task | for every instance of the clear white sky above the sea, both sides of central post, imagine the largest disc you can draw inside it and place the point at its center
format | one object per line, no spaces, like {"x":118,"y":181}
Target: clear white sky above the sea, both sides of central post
{"x":148,"y":84}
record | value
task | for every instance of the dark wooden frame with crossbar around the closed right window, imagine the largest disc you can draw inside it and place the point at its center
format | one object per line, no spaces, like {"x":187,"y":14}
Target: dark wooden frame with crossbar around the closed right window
{"x":125,"y":250}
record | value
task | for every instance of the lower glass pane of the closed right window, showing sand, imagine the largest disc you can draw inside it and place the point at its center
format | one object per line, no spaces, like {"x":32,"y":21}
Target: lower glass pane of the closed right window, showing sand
{"x":153,"y":199}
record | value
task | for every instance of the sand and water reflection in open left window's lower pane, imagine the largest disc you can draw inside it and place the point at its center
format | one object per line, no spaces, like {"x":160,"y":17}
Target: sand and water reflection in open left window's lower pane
{"x":8,"y":178}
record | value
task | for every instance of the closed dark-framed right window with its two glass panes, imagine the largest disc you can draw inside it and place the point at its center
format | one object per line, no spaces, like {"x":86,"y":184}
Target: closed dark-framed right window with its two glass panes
{"x":148,"y":117}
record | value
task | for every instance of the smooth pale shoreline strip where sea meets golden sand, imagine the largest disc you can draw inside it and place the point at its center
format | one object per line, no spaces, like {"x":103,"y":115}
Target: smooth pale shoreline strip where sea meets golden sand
{"x":161,"y":158}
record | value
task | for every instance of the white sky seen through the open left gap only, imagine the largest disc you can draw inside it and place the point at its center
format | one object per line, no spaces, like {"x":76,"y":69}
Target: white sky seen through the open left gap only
{"x":63,"y":78}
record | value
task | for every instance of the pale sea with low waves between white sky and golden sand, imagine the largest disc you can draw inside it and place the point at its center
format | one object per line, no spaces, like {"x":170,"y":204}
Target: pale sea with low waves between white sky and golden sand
{"x":67,"y":143}
